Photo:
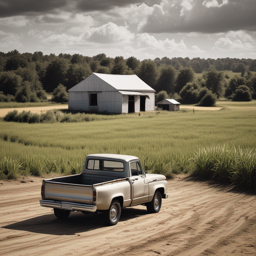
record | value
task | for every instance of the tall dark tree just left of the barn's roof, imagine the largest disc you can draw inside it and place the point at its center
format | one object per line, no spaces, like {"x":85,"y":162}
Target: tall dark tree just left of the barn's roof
{"x":55,"y":74}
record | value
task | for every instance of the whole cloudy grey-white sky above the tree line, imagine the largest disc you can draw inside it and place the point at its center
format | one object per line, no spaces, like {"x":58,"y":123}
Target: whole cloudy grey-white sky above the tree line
{"x":143,"y":29}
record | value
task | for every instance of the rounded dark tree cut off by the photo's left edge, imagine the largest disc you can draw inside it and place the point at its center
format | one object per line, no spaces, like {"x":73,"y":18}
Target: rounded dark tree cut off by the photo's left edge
{"x":10,"y":82}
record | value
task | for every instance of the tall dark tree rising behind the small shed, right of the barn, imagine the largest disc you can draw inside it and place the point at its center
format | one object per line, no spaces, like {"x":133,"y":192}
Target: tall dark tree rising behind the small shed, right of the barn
{"x":166,"y":79}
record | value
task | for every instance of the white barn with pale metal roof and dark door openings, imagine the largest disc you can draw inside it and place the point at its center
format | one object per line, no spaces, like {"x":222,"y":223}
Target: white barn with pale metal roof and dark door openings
{"x":107,"y":93}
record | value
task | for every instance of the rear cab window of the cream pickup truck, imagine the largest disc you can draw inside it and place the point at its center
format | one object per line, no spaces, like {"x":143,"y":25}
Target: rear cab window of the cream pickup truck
{"x":105,"y":165}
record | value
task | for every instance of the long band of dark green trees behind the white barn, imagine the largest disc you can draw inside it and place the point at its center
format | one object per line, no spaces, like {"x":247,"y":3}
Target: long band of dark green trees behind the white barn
{"x":27,"y":77}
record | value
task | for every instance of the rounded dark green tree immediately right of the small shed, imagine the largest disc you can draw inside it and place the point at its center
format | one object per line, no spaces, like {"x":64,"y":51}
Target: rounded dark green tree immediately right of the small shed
{"x":190,"y":92}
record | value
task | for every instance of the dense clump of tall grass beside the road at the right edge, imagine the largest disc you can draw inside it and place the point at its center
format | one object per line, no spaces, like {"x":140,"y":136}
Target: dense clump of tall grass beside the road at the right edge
{"x":226,"y":164}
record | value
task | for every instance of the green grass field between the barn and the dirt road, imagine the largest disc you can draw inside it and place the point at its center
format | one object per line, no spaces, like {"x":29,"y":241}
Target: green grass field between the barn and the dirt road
{"x":164,"y":141}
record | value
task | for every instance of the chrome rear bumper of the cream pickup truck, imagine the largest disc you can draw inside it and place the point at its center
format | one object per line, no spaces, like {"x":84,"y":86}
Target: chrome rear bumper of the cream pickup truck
{"x":68,"y":206}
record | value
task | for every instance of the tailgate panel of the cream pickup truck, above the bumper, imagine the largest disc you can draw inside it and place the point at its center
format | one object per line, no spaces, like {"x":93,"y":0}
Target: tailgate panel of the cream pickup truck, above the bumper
{"x":67,"y":192}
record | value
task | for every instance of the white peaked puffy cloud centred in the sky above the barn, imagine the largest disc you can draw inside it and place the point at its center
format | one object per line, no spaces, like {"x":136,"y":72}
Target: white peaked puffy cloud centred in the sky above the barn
{"x":109,"y":33}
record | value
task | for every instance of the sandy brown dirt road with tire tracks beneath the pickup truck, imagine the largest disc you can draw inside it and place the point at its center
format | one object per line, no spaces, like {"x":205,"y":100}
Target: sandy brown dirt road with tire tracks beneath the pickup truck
{"x":196,"y":219}
